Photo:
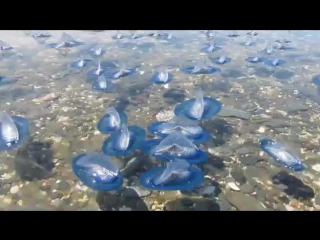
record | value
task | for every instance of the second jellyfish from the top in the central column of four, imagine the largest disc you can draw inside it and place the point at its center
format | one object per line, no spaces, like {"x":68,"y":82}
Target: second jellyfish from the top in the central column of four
{"x":188,"y":127}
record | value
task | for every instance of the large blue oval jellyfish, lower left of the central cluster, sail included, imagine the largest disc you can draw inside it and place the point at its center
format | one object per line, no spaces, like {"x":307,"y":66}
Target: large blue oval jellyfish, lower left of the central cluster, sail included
{"x":97,"y":172}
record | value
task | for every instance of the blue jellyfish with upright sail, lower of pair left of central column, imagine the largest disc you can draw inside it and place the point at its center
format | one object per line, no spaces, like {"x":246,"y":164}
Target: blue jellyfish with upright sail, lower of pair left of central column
{"x":124,"y":141}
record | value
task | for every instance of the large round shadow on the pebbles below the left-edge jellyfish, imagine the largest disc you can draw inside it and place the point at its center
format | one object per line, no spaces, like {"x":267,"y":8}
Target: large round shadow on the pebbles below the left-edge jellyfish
{"x":34,"y":161}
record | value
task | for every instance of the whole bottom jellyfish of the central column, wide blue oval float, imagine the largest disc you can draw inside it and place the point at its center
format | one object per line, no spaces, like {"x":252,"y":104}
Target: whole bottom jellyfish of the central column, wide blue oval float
{"x":178,"y":175}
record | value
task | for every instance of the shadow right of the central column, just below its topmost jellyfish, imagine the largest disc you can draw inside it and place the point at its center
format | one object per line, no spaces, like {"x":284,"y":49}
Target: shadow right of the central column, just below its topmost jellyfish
{"x":220,"y":130}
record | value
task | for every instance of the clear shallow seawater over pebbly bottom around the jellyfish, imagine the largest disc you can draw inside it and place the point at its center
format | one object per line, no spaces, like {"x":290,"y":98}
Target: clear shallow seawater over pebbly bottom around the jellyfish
{"x":258,"y":101}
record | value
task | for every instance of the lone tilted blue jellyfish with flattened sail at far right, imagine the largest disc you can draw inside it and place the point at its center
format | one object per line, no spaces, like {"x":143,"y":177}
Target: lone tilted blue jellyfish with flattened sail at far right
{"x":281,"y":155}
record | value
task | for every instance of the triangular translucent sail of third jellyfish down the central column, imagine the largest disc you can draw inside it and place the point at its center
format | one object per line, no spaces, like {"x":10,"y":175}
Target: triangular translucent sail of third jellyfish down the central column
{"x":177,"y":144}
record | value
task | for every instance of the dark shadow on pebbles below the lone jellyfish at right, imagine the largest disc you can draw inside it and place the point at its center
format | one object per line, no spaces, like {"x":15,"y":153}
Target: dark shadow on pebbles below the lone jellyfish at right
{"x":295,"y":187}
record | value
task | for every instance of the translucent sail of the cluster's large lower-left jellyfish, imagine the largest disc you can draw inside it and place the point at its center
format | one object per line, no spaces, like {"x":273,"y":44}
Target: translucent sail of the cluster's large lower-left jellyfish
{"x":106,"y":172}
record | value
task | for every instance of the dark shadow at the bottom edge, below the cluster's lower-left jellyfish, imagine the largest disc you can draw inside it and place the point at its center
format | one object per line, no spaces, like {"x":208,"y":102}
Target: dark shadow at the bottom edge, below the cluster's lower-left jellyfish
{"x":117,"y":201}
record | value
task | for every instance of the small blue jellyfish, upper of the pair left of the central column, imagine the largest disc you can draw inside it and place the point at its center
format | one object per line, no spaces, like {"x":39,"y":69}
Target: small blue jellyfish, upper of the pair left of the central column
{"x":111,"y":121}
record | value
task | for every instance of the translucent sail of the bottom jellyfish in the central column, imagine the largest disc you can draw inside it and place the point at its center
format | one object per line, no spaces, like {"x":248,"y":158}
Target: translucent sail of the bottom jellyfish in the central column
{"x":177,"y":169}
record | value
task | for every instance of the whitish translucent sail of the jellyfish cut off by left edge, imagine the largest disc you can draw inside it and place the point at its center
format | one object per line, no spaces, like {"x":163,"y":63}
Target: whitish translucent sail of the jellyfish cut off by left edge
{"x":9,"y":131}
